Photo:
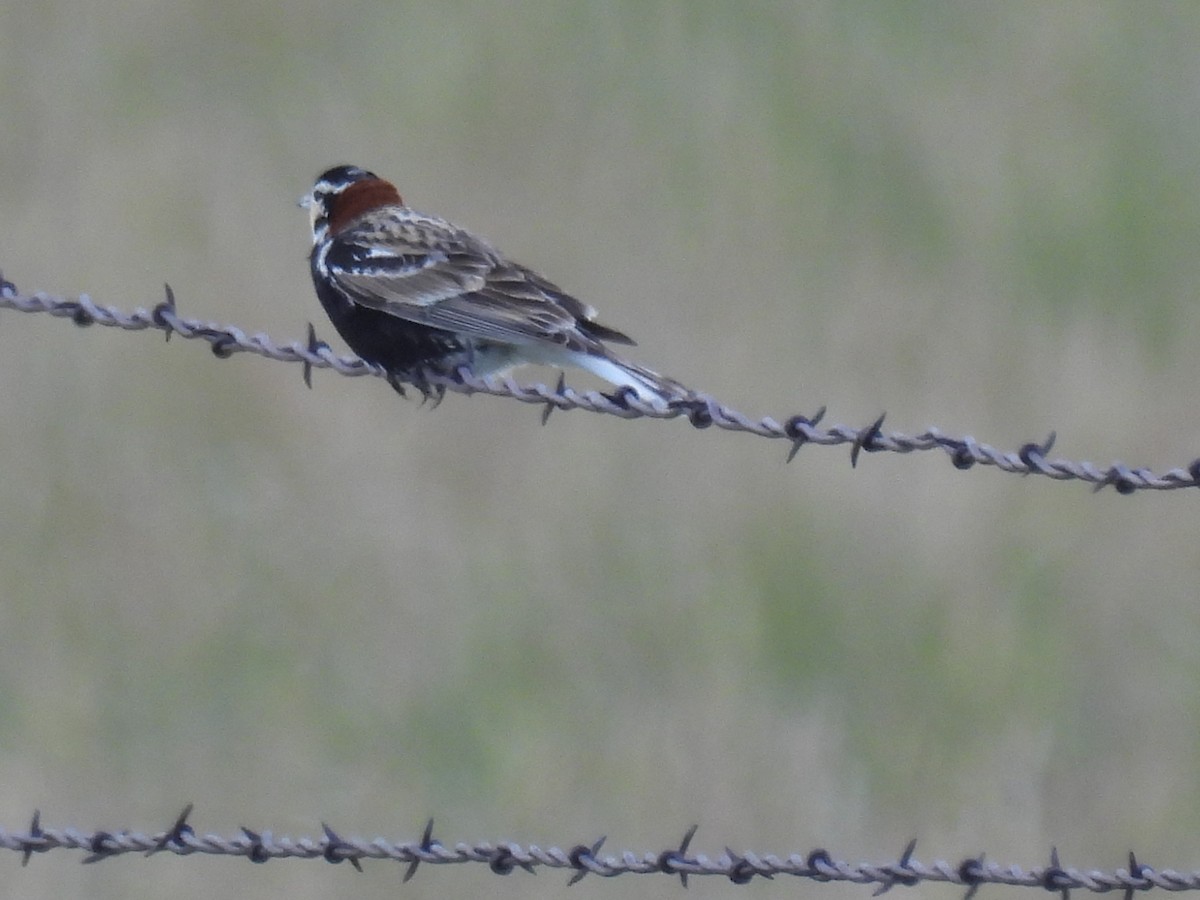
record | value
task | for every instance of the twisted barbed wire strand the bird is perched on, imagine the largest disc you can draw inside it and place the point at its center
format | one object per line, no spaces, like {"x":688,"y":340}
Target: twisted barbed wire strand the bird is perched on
{"x":701,"y":410}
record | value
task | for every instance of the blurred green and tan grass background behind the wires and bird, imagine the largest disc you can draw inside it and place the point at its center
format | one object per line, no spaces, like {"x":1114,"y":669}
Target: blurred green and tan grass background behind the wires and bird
{"x":296,"y":607}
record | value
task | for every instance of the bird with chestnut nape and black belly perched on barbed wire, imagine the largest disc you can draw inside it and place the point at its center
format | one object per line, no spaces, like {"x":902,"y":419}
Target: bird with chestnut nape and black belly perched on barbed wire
{"x":413,"y":293}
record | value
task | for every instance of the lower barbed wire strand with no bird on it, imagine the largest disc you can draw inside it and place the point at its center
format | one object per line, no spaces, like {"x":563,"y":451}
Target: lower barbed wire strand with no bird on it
{"x":584,"y":860}
